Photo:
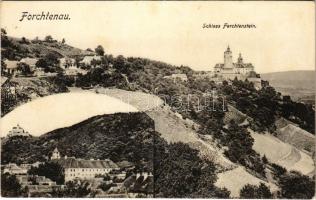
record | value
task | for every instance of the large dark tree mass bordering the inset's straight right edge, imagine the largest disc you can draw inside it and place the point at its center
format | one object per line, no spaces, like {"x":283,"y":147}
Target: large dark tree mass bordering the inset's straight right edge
{"x":179,"y":172}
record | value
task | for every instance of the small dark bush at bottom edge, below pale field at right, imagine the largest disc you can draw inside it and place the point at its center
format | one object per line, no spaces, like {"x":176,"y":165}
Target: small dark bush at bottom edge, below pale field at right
{"x":255,"y":192}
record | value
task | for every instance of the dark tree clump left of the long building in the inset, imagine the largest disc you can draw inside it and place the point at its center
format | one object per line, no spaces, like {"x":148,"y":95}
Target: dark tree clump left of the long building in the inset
{"x":50,"y":170}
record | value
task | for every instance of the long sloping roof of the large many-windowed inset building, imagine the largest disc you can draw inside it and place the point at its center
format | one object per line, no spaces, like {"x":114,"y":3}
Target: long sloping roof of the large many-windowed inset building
{"x":81,"y":163}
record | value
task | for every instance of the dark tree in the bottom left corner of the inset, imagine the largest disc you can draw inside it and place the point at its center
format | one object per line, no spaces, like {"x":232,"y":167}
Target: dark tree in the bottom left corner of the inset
{"x":10,"y":187}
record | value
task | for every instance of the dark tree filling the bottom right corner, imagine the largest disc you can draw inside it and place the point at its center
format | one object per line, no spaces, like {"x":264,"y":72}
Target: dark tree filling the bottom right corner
{"x":294,"y":185}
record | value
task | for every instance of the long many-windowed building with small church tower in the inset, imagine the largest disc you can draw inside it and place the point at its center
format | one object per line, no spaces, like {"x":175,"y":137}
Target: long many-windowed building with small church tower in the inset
{"x":74,"y":168}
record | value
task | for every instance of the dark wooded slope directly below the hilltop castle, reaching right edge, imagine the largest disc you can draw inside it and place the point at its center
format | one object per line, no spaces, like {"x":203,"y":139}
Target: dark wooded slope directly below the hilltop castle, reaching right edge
{"x":265,"y":106}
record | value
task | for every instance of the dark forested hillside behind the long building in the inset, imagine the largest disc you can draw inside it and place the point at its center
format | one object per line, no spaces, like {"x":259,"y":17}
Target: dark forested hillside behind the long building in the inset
{"x":121,"y":136}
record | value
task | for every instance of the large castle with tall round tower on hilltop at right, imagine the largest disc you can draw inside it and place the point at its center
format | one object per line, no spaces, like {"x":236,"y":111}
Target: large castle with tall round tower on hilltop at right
{"x":230,"y":70}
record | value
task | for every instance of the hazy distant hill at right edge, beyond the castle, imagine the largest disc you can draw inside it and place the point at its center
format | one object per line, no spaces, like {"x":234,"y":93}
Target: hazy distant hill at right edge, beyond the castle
{"x":297,"y":84}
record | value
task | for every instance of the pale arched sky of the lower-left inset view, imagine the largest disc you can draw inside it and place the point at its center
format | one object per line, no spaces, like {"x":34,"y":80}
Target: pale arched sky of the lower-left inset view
{"x":57,"y":111}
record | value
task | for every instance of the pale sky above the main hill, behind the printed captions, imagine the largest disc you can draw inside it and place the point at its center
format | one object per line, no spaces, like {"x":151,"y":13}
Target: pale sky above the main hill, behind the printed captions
{"x":283,"y":40}
